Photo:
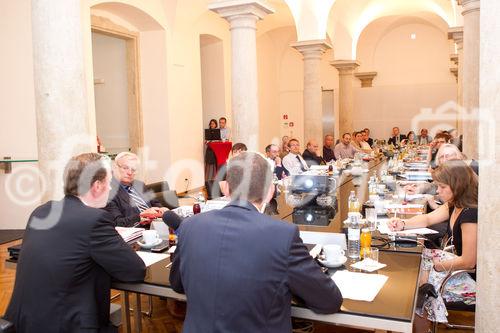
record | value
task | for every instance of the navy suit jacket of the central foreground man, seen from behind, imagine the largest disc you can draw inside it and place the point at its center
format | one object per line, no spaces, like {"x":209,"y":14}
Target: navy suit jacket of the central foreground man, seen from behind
{"x":239,"y":269}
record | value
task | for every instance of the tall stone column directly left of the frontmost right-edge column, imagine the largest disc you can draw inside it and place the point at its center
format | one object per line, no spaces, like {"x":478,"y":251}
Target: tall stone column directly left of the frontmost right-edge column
{"x":470,"y":81}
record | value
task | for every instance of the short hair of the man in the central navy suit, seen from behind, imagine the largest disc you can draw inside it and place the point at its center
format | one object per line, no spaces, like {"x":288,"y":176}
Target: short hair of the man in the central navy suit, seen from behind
{"x":249,"y":176}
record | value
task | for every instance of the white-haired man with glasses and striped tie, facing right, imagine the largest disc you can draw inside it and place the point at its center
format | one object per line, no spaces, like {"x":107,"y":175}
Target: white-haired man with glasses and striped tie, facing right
{"x":128,"y":202}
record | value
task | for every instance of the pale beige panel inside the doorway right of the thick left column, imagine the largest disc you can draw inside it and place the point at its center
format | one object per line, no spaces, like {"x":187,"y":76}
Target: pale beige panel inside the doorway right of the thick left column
{"x":111,"y":105}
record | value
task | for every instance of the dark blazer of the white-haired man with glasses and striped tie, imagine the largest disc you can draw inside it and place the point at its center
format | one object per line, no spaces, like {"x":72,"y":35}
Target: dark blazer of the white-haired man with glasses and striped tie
{"x":125,"y":213}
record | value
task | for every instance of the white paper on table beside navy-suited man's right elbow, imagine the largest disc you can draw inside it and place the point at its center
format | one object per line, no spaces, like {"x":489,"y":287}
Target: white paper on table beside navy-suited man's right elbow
{"x":359,"y":286}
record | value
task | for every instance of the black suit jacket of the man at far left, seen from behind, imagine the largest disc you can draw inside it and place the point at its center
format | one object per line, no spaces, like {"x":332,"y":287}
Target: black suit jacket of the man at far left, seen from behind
{"x":69,"y":255}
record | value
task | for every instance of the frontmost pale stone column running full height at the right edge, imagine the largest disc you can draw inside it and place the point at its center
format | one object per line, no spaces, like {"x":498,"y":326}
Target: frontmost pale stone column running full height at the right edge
{"x":488,"y":261}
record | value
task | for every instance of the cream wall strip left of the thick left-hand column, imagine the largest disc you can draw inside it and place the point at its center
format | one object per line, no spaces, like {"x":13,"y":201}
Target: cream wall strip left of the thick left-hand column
{"x":18,"y":138}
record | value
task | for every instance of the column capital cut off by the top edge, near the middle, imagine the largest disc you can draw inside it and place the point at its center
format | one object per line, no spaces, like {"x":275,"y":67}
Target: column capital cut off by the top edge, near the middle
{"x":229,"y":9}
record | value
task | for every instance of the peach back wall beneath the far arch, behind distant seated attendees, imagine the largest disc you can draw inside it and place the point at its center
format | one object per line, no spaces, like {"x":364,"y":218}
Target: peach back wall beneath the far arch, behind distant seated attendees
{"x":412,"y":74}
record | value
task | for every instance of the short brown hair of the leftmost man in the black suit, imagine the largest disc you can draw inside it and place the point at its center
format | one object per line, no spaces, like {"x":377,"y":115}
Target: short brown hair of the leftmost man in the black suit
{"x":83,"y":170}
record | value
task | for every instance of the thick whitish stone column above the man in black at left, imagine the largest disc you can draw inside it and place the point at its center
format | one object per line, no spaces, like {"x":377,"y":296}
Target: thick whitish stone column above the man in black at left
{"x":60,"y":89}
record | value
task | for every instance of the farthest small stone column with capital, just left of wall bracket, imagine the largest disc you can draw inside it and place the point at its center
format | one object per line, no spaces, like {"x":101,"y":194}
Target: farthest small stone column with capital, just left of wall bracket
{"x":346,"y":69}
